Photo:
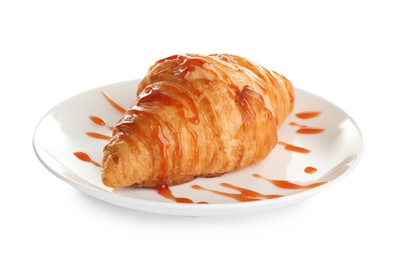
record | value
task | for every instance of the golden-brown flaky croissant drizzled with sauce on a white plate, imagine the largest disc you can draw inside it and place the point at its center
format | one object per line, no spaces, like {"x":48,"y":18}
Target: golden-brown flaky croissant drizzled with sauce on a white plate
{"x":196,"y":116}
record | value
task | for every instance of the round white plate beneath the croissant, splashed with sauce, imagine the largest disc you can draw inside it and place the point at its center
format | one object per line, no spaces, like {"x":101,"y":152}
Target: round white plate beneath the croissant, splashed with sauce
{"x":333,"y":152}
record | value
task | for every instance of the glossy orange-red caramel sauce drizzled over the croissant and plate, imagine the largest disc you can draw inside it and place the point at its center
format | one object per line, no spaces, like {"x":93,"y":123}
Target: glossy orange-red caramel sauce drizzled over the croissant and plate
{"x":179,"y":99}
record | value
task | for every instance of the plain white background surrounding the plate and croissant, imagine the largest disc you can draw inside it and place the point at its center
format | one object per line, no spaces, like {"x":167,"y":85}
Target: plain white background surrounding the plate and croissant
{"x":344,"y":51}
